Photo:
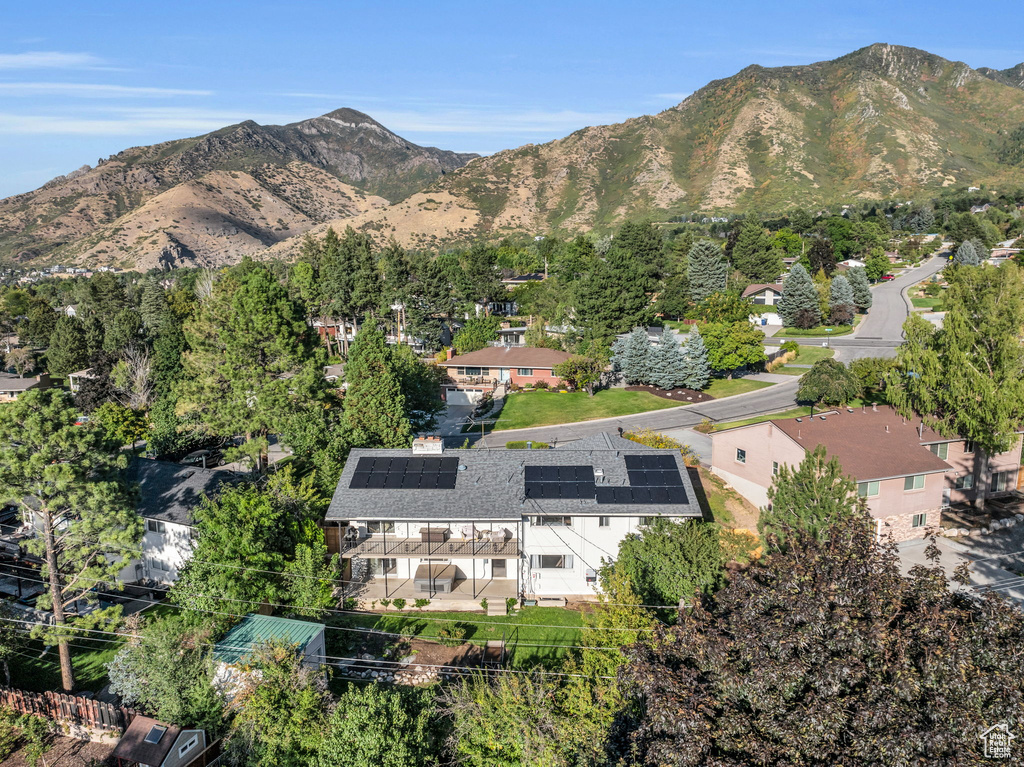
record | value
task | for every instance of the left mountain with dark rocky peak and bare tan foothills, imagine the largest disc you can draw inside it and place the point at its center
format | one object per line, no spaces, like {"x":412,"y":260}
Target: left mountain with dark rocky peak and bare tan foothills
{"x":216,"y":198}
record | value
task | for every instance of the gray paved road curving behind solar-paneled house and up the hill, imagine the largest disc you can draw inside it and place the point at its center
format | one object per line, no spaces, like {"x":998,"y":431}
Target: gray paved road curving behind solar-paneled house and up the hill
{"x":878,"y":335}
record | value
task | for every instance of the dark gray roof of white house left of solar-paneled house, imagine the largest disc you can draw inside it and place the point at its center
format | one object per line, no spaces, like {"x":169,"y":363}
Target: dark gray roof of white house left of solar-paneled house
{"x":170,"y":492}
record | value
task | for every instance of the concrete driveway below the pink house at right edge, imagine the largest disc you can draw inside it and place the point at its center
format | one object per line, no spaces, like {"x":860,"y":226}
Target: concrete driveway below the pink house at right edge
{"x":989,"y":557}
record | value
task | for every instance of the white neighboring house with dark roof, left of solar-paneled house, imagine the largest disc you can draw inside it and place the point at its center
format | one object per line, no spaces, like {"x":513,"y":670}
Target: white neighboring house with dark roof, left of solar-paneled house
{"x":167,"y":496}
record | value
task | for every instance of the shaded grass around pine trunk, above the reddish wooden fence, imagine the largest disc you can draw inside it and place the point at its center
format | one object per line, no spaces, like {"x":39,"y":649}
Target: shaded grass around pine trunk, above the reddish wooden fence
{"x":37,"y":667}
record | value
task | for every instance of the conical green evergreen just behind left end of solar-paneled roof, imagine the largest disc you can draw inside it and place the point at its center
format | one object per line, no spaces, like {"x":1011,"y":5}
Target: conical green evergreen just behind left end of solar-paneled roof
{"x":375,"y":406}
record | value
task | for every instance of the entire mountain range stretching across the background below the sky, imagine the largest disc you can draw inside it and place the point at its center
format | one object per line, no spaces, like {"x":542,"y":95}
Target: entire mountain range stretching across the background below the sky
{"x":883,"y":121}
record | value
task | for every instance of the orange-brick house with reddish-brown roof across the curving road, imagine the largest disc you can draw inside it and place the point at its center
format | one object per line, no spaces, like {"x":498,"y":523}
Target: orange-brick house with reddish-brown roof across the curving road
{"x":470,"y":376}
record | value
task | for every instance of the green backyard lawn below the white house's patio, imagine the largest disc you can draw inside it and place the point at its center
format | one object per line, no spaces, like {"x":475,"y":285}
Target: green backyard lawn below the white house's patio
{"x":531,"y":626}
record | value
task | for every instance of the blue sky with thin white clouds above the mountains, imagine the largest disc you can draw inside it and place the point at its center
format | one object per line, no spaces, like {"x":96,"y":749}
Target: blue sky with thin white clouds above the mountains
{"x":83,"y":80}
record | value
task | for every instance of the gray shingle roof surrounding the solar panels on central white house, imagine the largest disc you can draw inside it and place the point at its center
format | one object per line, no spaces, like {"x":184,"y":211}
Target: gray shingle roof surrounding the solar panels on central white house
{"x":492,"y":486}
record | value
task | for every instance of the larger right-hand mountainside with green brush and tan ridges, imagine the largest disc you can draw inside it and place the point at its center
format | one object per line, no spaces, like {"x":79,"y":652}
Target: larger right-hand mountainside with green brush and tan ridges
{"x":882,"y":121}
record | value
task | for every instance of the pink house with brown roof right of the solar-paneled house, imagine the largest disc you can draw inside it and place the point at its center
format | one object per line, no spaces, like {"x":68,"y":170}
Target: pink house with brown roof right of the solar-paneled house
{"x":907,"y":473}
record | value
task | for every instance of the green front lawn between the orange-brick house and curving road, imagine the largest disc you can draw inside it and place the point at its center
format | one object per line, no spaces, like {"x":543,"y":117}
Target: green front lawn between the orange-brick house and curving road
{"x":528,"y":409}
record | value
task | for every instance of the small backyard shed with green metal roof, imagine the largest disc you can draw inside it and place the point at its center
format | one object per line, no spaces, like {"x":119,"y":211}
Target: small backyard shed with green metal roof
{"x":240,"y":644}
